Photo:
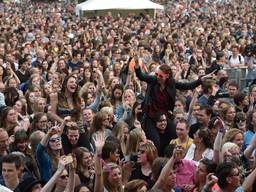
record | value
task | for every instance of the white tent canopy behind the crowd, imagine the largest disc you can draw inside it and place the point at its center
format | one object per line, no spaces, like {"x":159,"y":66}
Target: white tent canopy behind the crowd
{"x":93,"y":5}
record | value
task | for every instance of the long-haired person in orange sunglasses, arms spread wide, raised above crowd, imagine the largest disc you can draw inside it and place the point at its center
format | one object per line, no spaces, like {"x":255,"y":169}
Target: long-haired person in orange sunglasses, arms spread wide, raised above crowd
{"x":160,"y":96}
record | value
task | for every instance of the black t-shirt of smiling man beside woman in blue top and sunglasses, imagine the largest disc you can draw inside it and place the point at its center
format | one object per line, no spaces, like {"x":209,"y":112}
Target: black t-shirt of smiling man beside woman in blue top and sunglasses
{"x":83,"y":141}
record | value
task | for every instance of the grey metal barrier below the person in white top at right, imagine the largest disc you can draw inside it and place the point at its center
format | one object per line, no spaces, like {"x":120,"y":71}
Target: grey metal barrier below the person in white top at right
{"x":238,"y":75}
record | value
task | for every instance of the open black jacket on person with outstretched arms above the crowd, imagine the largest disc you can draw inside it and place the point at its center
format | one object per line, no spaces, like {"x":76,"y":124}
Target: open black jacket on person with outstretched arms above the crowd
{"x":153,"y":87}
